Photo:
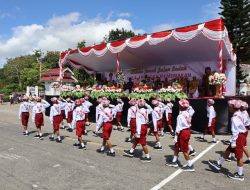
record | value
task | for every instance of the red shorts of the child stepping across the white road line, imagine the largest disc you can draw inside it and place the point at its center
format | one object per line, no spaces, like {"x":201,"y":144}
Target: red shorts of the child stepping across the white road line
{"x":183,"y":140}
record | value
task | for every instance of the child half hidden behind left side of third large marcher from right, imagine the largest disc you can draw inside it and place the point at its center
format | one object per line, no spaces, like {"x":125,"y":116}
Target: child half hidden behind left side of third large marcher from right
{"x":131,"y":119}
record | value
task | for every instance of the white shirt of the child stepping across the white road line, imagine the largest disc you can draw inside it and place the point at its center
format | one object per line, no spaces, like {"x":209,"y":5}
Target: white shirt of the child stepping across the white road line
{"x":183,"y":121}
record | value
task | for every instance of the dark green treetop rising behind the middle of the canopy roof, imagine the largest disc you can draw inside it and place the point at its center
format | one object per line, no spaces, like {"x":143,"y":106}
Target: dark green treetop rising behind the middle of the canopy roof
{"x":118,"y":34}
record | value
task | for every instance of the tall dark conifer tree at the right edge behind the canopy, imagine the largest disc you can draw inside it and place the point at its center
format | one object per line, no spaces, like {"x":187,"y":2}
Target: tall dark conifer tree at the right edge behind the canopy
{"x":236,"y":16}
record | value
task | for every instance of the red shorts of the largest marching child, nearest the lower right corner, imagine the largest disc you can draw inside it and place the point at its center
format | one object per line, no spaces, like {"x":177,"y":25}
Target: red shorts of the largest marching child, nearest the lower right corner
{"x":240,"y":144}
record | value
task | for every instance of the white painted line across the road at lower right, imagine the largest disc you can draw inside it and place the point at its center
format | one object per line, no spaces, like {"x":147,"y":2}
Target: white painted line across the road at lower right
{"x":176,"y":173}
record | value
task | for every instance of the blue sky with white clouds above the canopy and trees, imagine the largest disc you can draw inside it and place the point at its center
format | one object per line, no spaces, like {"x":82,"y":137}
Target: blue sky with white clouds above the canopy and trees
{"x":59,"y":24}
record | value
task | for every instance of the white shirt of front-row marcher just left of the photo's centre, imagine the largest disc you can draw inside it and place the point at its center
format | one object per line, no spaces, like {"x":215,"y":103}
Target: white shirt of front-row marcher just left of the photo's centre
{"x":106,"y":115}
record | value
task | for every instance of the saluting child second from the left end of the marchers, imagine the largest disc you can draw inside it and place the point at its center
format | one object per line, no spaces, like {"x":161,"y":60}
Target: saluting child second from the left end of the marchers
{"x":37,"y":115}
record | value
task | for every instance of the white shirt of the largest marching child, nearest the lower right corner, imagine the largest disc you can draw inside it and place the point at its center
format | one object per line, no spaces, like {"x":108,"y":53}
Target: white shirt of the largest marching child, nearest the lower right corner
{"x":237,"y":125}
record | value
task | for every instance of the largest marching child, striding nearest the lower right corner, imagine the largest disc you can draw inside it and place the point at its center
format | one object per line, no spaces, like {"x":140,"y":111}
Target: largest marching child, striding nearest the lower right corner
{"x":238,"y":141}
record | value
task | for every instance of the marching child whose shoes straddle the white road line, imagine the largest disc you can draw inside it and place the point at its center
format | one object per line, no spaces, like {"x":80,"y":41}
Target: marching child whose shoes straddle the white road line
{"x":182,"y":137}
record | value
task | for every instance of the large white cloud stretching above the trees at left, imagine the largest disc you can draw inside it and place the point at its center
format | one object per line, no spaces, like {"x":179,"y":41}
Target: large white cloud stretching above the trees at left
{"x":60,"y":33}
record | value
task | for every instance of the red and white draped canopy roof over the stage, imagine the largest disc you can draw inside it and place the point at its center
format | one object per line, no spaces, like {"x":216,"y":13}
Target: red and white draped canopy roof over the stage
{"x":196,"y":44}
